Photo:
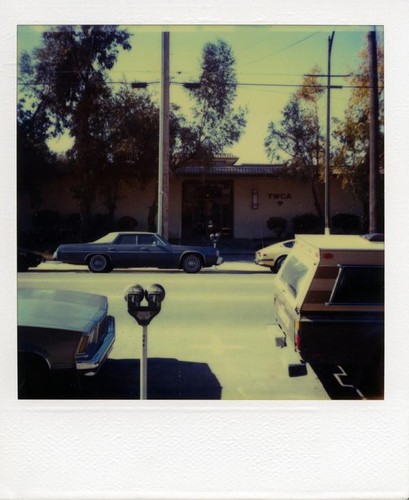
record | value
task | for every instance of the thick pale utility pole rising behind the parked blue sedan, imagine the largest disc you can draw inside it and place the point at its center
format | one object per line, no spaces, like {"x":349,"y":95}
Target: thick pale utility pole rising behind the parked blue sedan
{"x":163,"y":170}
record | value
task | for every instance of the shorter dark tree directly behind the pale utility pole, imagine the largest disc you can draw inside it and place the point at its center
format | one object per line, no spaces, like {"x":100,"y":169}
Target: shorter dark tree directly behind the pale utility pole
{"x":133,"y":119}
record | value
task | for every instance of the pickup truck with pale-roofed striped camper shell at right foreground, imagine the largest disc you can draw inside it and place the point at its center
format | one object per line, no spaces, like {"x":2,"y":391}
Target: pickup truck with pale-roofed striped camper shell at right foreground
{"x":329,"y":301}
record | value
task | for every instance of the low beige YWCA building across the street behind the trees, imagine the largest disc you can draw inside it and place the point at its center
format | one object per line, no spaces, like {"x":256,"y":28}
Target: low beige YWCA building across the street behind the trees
{"x":236,"y":200}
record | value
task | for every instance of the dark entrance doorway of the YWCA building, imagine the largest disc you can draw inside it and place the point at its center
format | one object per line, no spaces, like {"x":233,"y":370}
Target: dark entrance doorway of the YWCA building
{"x":207,"y":207}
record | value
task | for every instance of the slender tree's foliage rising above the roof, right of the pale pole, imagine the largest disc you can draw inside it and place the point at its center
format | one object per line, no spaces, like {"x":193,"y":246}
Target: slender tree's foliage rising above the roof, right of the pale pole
{"x":215,"y":125}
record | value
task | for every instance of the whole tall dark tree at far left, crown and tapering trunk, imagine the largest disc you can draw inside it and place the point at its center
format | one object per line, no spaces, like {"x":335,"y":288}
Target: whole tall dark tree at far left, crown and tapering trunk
{"x":69,"y":82}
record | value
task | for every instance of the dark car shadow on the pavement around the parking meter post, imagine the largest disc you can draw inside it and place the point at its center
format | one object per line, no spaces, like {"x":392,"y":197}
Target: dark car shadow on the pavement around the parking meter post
{"x":120,"y":379}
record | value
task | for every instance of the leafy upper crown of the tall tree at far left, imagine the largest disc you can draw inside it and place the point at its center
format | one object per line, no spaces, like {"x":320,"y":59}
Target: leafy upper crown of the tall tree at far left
{"x":70,"y":67}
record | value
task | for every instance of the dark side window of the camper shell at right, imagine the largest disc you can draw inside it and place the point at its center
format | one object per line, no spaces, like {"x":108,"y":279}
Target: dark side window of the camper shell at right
{"x":359,"y":285}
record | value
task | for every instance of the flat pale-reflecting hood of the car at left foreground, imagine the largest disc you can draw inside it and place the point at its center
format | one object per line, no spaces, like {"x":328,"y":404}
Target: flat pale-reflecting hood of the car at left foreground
{"x":60,"y":309}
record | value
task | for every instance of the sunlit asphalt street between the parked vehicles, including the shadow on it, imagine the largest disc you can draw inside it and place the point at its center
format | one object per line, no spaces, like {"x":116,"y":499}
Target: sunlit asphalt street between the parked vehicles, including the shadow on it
{"x":214,"y":338}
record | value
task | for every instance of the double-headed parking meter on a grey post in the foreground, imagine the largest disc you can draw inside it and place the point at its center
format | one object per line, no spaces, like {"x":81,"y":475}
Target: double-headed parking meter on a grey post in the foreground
{"x":143,"y":314}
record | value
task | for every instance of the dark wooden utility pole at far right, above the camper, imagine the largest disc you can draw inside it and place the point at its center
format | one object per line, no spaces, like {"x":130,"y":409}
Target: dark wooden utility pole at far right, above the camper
{"x":373,"y":135}
